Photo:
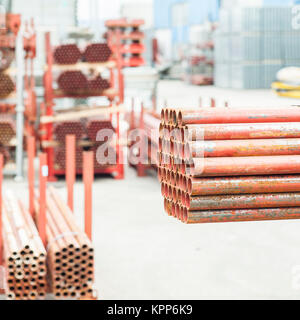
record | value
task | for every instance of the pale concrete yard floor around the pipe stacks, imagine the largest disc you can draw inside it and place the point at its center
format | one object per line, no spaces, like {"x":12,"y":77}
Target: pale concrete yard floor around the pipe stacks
{"x":141,"y":253}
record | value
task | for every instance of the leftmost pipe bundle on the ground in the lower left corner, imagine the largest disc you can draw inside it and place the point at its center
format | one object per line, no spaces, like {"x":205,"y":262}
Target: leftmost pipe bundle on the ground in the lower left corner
{"x":24,"y":253}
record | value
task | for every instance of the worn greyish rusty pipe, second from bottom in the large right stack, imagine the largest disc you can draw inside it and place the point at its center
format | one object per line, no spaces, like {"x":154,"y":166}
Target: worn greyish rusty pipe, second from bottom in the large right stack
{"x":245,"y":201}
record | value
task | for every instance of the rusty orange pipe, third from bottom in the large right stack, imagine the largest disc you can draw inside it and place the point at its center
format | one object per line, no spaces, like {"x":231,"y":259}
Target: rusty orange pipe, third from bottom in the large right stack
{"x":242,"y":185}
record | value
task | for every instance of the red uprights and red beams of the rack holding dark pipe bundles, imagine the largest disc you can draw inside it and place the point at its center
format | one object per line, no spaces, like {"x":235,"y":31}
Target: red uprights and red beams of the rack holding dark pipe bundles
{"x":115,"y":96}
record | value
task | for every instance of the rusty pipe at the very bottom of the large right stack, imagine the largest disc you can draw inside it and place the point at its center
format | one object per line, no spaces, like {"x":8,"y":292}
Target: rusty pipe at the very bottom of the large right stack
{"x":240,"y":215}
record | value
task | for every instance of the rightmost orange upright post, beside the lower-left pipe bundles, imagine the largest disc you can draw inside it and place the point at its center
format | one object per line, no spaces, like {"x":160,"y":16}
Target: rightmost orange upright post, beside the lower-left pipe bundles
{"x":88,"y":178}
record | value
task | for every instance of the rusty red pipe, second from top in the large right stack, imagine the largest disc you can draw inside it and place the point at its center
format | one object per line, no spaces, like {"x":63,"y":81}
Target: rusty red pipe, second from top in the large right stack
{"x":238,"y":131}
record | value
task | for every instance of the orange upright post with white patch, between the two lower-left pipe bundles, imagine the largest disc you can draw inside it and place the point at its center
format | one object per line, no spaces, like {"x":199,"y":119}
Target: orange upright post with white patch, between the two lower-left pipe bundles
{"x":41,"y":223}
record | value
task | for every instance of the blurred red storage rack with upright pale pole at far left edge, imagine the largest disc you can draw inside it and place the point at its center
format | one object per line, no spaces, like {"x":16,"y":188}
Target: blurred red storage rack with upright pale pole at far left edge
{"x":21,"y":102}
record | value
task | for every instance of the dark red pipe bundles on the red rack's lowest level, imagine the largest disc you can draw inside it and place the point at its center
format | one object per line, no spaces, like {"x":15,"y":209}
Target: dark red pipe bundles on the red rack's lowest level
{"x":88,"y":138}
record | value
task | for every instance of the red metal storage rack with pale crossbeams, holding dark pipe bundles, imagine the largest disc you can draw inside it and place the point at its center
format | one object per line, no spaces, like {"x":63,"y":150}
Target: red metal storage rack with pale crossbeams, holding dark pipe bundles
{"x":115,"y":96}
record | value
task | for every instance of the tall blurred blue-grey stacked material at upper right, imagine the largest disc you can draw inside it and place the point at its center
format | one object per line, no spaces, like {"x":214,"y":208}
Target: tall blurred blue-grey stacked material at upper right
{"x":253,"y":44}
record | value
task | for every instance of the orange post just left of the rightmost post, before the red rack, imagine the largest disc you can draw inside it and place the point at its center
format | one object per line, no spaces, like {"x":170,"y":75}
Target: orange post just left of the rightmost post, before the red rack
{"x":70,"y":168}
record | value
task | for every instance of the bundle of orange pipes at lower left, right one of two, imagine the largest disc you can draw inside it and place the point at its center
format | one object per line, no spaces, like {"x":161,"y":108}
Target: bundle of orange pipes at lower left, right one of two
{"x":70,"y":255}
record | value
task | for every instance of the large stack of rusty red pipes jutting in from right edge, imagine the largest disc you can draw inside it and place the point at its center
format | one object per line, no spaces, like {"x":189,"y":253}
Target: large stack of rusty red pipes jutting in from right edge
{"x":222,"y":165}
